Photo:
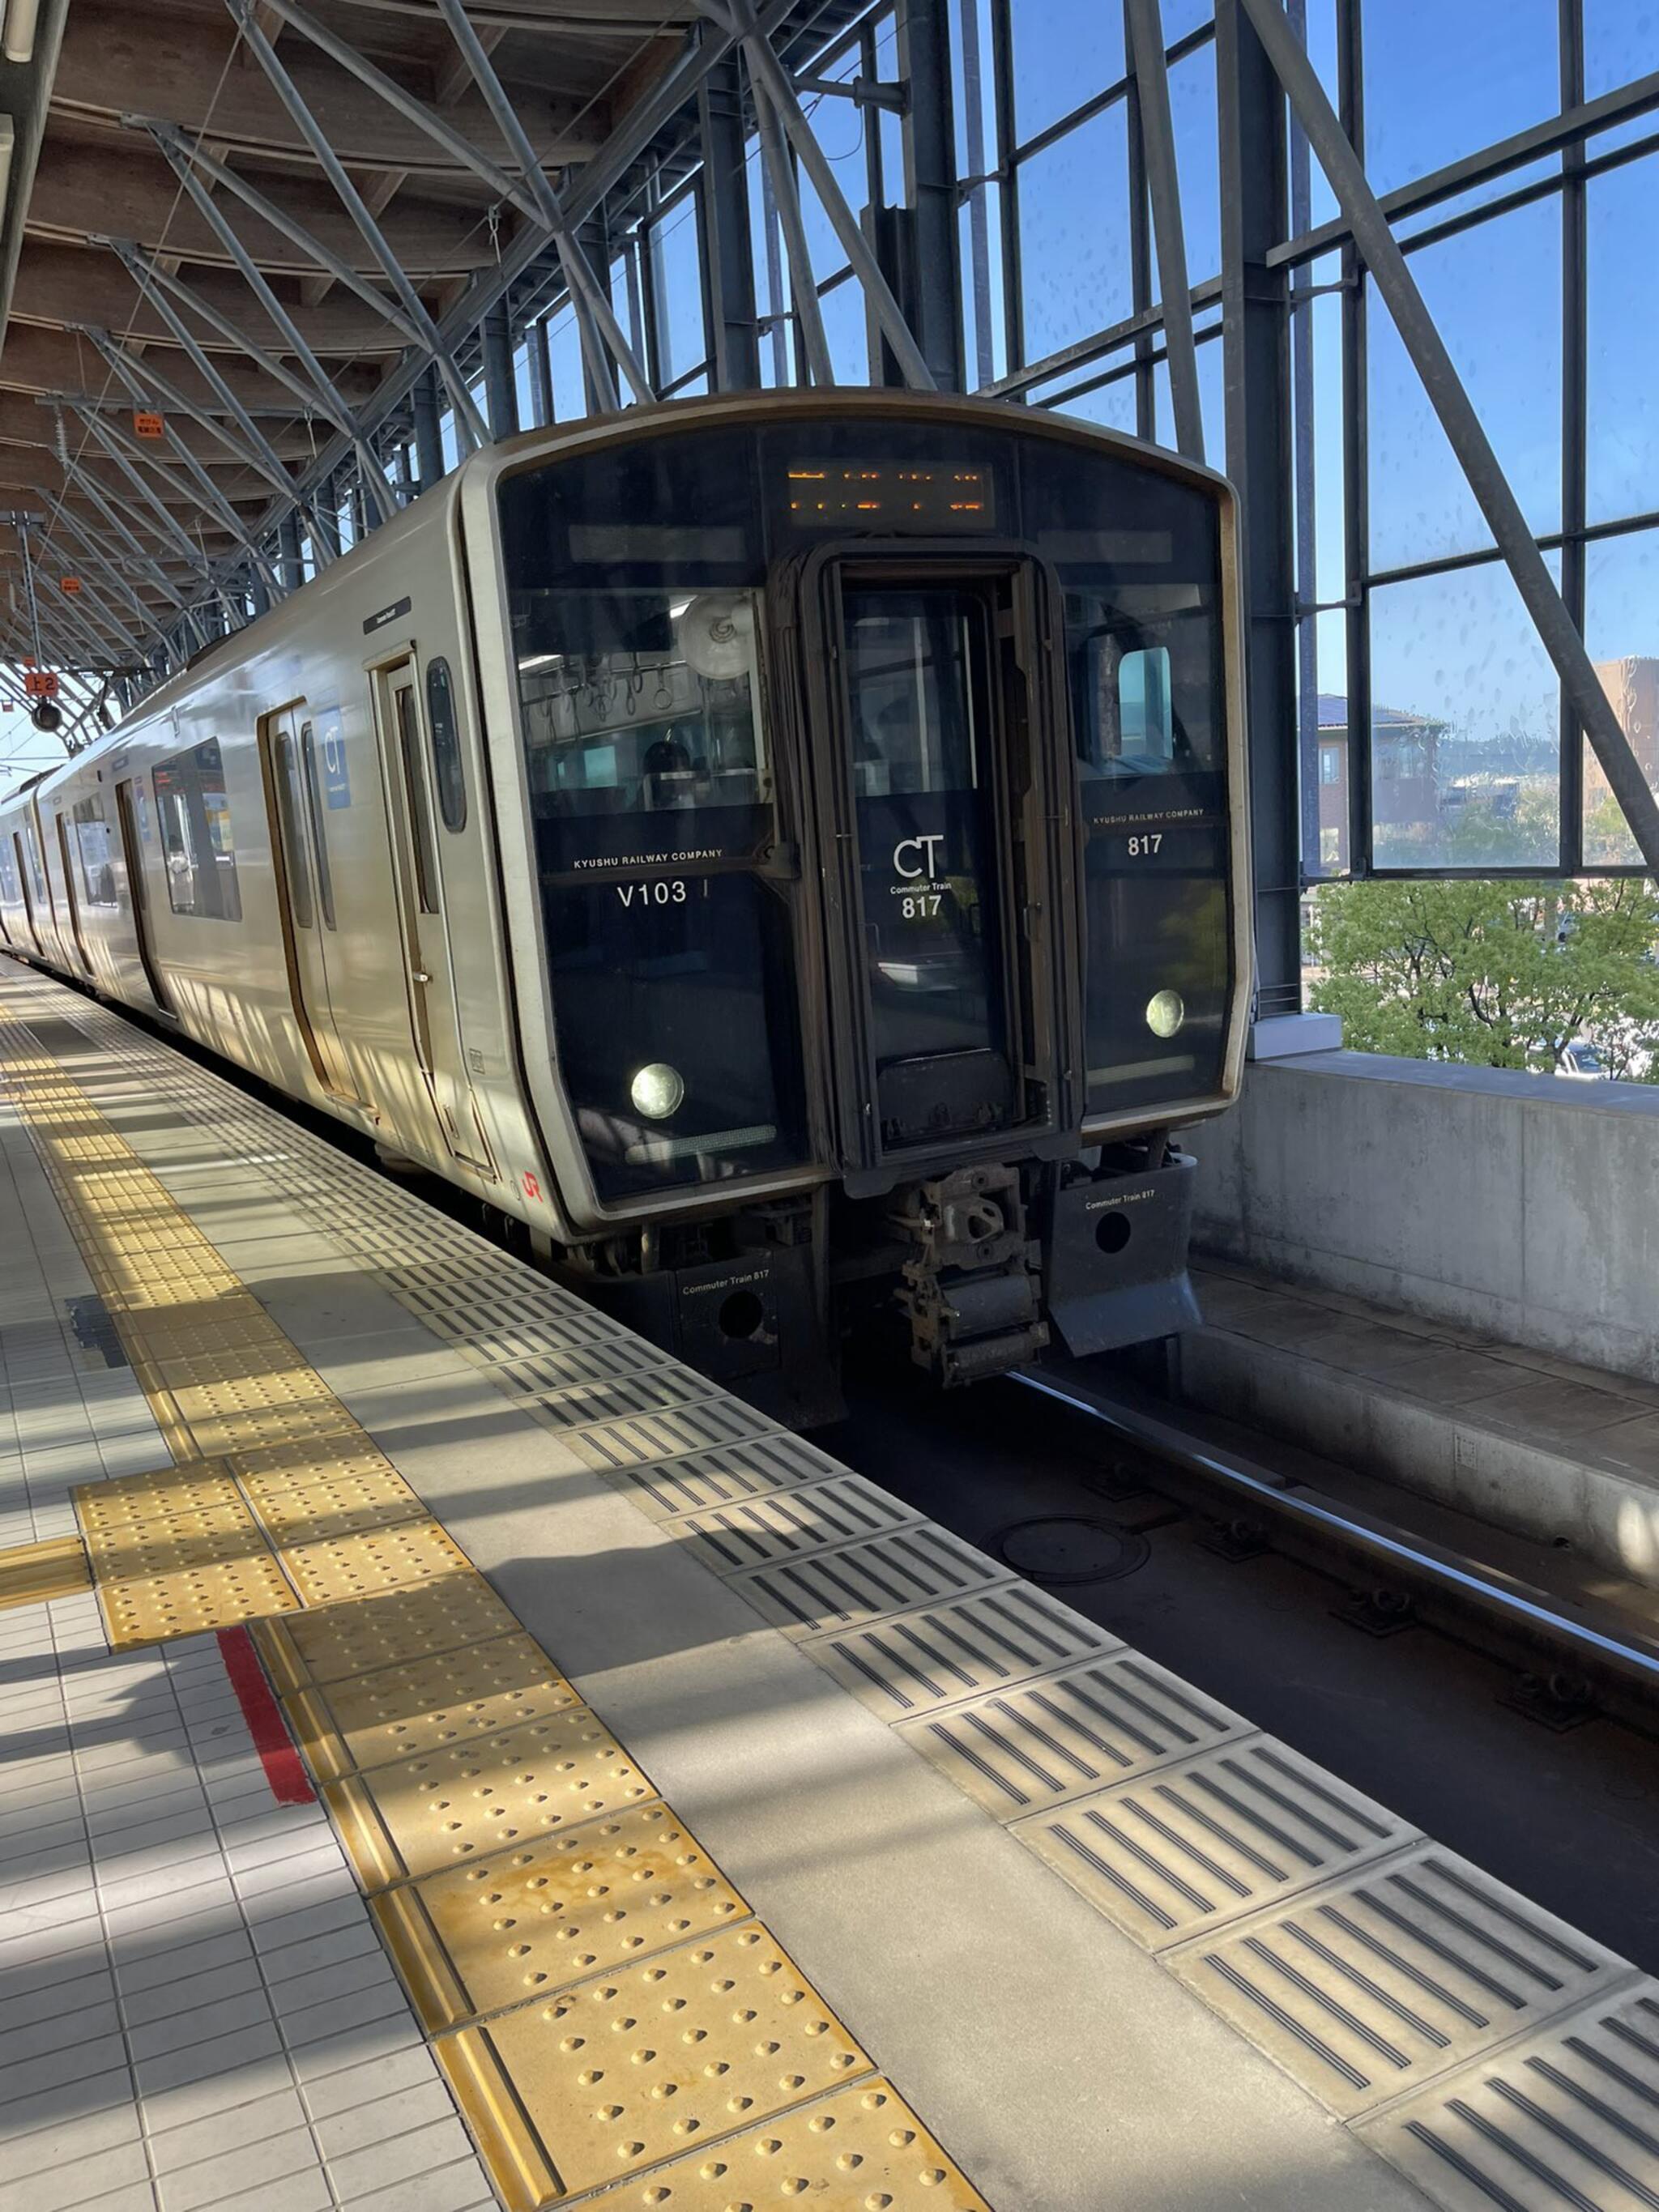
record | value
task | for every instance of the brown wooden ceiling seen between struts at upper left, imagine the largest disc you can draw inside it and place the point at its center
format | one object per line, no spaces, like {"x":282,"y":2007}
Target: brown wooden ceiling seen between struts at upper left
{"x":574,"y":67}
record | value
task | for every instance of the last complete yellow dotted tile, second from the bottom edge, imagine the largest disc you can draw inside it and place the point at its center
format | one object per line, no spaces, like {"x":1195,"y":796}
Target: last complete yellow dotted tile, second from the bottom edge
{"x":665,"y":2056}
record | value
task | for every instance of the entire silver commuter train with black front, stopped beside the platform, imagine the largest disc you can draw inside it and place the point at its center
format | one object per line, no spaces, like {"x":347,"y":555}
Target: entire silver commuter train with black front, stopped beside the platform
{"x":784,"y":853}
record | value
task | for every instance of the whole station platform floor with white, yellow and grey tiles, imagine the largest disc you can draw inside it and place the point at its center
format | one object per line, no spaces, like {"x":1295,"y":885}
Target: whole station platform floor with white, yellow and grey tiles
{"x":455,"y":1755}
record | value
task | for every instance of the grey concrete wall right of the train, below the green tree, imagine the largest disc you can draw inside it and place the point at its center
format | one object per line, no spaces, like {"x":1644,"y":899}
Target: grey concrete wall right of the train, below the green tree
{"x":1523,"y":1207}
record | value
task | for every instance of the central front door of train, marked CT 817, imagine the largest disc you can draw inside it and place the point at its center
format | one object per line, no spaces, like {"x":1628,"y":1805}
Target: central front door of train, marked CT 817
{"x":943,"y":815}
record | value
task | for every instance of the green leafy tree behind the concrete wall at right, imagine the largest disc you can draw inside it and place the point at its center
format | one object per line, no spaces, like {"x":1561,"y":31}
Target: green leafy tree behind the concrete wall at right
{"x":1505,"y":974}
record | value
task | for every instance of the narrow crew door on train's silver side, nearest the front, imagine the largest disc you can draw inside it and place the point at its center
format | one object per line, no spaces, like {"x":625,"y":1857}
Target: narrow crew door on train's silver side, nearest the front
{"x":435,"y":1021}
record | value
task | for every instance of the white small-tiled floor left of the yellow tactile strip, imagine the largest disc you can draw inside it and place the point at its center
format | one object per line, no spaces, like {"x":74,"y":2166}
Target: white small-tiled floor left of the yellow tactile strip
{"x":196,"y":2012}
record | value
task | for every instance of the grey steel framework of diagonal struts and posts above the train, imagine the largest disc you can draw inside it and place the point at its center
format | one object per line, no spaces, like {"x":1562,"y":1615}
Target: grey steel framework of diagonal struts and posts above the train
{"x":738,"y":85}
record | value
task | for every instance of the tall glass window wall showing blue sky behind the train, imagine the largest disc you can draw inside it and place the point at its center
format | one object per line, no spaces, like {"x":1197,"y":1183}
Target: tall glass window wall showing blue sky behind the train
{"x":1521,"y":169}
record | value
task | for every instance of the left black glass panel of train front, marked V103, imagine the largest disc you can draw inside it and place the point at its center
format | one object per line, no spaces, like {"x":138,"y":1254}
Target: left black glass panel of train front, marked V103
{"x":665,"y":888}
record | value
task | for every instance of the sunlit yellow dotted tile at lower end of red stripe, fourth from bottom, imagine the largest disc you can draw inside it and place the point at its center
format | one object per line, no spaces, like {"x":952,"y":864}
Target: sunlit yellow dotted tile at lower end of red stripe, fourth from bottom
{"x":424,"y":1815}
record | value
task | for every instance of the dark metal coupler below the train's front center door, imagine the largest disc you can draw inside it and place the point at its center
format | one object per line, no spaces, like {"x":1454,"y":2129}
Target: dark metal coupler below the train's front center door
{"x":972,"y":1286}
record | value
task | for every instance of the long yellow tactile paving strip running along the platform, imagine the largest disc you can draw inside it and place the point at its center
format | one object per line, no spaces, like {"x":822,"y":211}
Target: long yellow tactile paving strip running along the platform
{"x":508,"y":1839}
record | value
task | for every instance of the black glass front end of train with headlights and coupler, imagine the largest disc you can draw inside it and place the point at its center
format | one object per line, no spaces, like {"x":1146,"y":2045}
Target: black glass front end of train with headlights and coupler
{"x":877,"y":762}
